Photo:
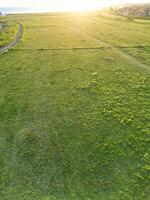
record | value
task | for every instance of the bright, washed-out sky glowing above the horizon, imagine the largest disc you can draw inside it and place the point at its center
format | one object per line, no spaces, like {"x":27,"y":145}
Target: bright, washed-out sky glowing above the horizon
{"x":66,"y":4}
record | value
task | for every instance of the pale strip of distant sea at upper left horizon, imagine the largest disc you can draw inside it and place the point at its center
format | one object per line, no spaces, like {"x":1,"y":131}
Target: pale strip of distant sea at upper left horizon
{"x":13,"y":10}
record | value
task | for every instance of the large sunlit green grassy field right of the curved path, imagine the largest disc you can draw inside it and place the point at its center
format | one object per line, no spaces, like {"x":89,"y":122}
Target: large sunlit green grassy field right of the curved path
{"x":74,"y":109}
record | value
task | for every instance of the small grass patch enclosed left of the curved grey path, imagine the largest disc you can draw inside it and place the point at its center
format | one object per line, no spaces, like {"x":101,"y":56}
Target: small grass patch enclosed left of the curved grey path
{"x":7,"y":32}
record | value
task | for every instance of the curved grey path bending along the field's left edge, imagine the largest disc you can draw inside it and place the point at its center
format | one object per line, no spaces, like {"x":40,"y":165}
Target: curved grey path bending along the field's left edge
{"x":15,"y":41}
